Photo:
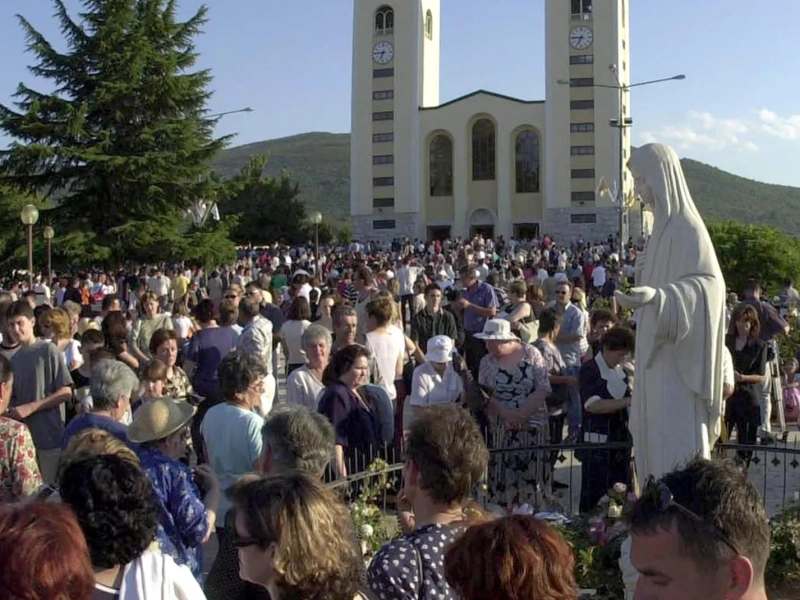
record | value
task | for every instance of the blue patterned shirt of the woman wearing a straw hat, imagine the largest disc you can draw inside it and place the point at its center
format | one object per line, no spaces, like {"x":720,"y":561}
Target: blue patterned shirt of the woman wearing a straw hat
{"x":182,"y":520}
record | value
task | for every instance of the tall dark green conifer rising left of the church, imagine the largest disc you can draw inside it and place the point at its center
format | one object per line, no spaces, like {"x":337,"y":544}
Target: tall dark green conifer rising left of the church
{"x":123,"y":143}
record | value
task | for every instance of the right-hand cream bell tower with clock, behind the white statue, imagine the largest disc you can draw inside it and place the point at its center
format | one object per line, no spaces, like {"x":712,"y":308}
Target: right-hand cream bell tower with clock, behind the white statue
{"x":588,"y":67}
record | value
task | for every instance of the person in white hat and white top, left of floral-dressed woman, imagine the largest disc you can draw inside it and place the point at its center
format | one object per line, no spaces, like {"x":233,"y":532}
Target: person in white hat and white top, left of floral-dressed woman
{"x":435,"y":381}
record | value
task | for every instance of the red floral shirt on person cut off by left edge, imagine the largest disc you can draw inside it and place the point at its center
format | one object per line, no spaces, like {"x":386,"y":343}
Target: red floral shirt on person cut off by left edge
{"x":19,"y":472}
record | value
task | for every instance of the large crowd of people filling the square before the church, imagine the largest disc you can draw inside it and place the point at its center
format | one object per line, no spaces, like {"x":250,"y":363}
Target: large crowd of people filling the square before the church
{"x":148,"y":410}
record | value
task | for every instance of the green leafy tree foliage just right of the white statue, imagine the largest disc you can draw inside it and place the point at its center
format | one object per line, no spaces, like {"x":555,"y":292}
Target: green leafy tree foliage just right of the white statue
{"x":760,"y":252}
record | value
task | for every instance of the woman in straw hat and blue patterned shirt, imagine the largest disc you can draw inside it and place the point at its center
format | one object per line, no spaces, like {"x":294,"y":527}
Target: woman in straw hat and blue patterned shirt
{"x":185,"y":521}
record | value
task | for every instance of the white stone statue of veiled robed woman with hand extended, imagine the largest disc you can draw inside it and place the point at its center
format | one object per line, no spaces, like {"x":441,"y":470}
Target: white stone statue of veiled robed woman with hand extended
{"x":680,"y":320}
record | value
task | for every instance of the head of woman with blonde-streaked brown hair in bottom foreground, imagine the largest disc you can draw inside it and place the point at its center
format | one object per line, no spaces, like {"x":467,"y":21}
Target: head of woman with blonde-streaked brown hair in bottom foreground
{"x":295,"y":538}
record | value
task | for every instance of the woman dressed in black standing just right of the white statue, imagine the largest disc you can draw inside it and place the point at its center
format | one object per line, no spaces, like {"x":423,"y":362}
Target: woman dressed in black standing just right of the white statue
{"x":749,"y":354}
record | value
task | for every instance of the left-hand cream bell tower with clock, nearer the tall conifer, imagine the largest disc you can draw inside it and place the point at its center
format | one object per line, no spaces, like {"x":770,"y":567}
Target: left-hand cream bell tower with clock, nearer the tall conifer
{"x":395,"y":73}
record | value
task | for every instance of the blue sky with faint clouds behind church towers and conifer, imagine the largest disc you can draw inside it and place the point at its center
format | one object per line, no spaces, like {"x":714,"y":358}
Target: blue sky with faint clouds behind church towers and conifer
{"x":290,"y":60}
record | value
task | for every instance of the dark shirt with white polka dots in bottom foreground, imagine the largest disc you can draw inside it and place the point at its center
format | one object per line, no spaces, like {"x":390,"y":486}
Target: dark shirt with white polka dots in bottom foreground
{"x":412,"y":567}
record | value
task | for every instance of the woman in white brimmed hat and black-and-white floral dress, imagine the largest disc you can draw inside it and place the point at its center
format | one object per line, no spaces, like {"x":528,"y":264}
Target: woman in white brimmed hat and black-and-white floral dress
{"x":517,"y":375}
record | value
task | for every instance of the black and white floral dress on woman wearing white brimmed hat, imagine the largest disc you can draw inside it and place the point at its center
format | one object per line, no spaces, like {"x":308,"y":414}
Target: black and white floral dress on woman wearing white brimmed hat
{"x":517,"y":478}
